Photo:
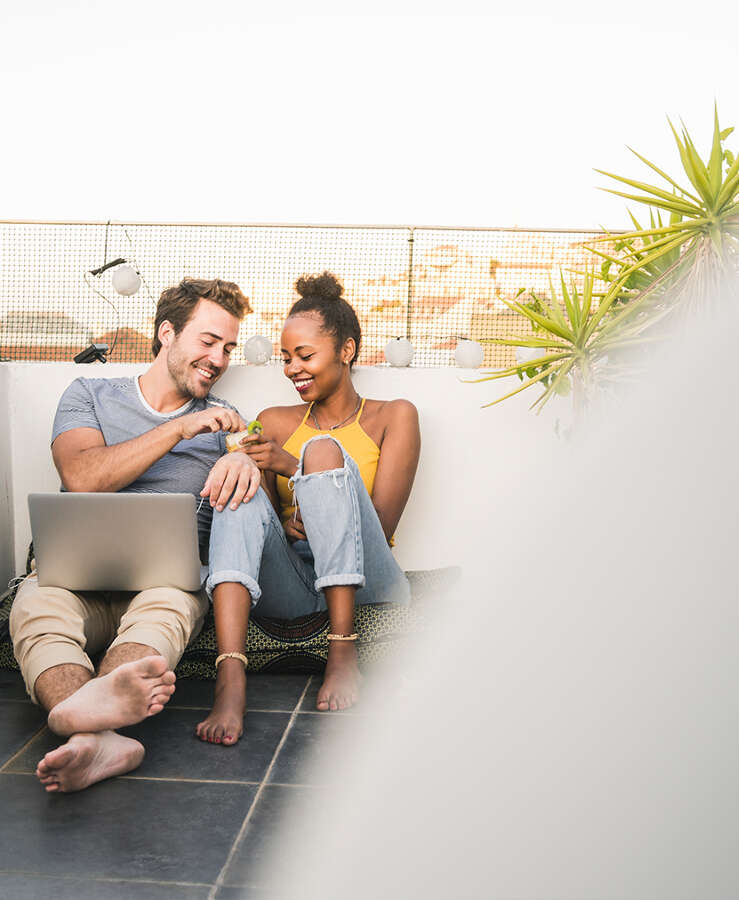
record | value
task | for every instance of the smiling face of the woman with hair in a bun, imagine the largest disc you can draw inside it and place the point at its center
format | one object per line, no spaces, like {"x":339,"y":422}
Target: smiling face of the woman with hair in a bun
{"x":311,"y":360}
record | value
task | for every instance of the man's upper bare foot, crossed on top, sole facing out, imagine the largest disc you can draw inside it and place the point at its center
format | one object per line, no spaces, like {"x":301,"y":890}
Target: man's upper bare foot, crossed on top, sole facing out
{"x":124,"y":696}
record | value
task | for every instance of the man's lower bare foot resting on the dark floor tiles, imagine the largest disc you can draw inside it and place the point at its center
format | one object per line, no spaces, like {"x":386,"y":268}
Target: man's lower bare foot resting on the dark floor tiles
{"x":87,"y":758}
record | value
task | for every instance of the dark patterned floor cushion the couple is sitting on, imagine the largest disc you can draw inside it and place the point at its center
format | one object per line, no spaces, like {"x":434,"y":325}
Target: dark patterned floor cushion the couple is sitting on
{"x":299,"y":645}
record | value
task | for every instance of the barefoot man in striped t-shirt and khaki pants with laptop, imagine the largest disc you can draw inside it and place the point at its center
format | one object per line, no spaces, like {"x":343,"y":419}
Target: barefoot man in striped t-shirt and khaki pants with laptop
{"x":158,"y":432}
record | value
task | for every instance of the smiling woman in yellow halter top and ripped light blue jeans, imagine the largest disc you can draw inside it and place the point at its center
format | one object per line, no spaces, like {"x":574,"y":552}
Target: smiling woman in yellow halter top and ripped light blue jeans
{"x":338,"y":469}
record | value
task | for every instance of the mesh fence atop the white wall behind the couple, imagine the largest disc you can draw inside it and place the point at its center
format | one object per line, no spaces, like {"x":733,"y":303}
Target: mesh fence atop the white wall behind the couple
{"x":431,"y":285}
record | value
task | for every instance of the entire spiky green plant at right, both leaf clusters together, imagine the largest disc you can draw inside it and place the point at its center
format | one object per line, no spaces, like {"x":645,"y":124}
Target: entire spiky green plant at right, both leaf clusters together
{"x":646,"y":271}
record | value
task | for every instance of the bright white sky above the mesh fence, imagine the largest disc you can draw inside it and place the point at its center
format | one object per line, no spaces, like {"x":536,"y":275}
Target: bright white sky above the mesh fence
{"x":403,"y":112}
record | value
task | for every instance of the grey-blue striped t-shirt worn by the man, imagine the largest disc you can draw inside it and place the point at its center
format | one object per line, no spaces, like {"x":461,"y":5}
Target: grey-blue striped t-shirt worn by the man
{"x":117,"y":408}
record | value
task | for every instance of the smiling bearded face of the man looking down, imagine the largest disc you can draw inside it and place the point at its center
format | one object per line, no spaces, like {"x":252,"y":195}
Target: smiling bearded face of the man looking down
{"x":200,"y":353}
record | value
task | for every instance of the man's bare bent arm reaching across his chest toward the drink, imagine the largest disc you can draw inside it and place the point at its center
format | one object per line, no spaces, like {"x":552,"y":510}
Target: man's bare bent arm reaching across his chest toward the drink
{"x":86,"y":463}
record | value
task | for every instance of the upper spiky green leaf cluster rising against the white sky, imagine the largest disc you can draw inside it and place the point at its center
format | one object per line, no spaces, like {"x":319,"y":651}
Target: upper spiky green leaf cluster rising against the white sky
{"x":700,"y":245}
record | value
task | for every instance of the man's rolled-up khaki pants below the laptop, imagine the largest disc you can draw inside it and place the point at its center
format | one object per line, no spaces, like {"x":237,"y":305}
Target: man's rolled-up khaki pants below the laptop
{"x":52,"y":626}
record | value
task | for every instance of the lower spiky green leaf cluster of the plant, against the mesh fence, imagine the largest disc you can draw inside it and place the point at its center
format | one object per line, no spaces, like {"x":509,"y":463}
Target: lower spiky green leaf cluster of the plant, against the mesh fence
{"x":575,"y":335}
